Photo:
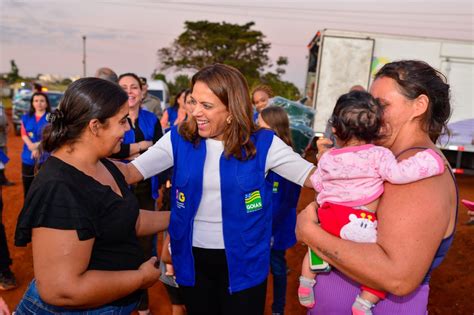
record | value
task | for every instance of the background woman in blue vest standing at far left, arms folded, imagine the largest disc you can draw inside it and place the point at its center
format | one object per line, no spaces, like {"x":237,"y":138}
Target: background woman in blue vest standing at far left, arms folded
{"x":32,"y":125}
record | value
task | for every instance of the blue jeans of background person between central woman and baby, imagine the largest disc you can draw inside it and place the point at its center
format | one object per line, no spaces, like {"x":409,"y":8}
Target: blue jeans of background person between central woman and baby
{"x":278,"y":270}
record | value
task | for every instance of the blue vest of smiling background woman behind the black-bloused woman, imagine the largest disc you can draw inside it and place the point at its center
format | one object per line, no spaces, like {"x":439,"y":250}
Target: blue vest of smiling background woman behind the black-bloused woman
{"x":146,"y":122}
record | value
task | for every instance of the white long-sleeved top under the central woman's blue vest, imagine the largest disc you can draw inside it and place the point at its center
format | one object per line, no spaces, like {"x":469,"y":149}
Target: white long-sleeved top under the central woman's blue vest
{"x":208,"y":220}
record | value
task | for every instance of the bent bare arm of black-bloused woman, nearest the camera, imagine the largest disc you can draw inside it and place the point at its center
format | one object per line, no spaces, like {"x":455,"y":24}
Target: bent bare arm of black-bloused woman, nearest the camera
{"x":60,"y":263}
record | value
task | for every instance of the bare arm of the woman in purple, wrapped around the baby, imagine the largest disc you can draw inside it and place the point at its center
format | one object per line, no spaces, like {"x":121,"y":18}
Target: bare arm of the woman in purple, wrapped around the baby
{"x":412,"y":221}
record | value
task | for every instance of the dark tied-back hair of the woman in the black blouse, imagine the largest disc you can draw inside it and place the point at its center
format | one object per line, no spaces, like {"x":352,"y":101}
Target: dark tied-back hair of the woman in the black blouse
{"x":84,"y":100}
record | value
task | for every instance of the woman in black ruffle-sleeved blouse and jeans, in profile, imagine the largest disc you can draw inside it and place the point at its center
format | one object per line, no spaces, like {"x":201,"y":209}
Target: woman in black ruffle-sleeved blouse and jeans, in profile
{"x":81,"y":217}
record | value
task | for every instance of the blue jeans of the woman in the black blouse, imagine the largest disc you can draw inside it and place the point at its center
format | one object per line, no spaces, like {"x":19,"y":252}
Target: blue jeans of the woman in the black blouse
{"x":31,"y":303}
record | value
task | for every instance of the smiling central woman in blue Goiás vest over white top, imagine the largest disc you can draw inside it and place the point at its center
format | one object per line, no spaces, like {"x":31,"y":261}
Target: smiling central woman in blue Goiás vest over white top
{"x":221,"y":218}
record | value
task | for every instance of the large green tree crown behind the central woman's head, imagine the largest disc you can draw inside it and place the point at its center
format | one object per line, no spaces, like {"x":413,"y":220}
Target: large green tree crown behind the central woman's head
{"x":204,"y":43}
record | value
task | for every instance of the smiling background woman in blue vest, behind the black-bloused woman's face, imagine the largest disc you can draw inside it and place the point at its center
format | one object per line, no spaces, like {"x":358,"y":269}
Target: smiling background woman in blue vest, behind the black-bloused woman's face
{"x":145,"y":130}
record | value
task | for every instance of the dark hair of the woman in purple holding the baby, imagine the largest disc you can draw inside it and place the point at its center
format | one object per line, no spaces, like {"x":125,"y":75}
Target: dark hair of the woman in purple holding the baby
{"x":415,"y":78}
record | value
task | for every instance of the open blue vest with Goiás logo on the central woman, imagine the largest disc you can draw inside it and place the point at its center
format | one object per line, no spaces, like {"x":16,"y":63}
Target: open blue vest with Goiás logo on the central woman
{"x":246,"y":211}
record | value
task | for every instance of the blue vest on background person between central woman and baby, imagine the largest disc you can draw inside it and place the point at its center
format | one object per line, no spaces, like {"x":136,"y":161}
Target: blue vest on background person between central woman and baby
{"x":285,"y":198}
